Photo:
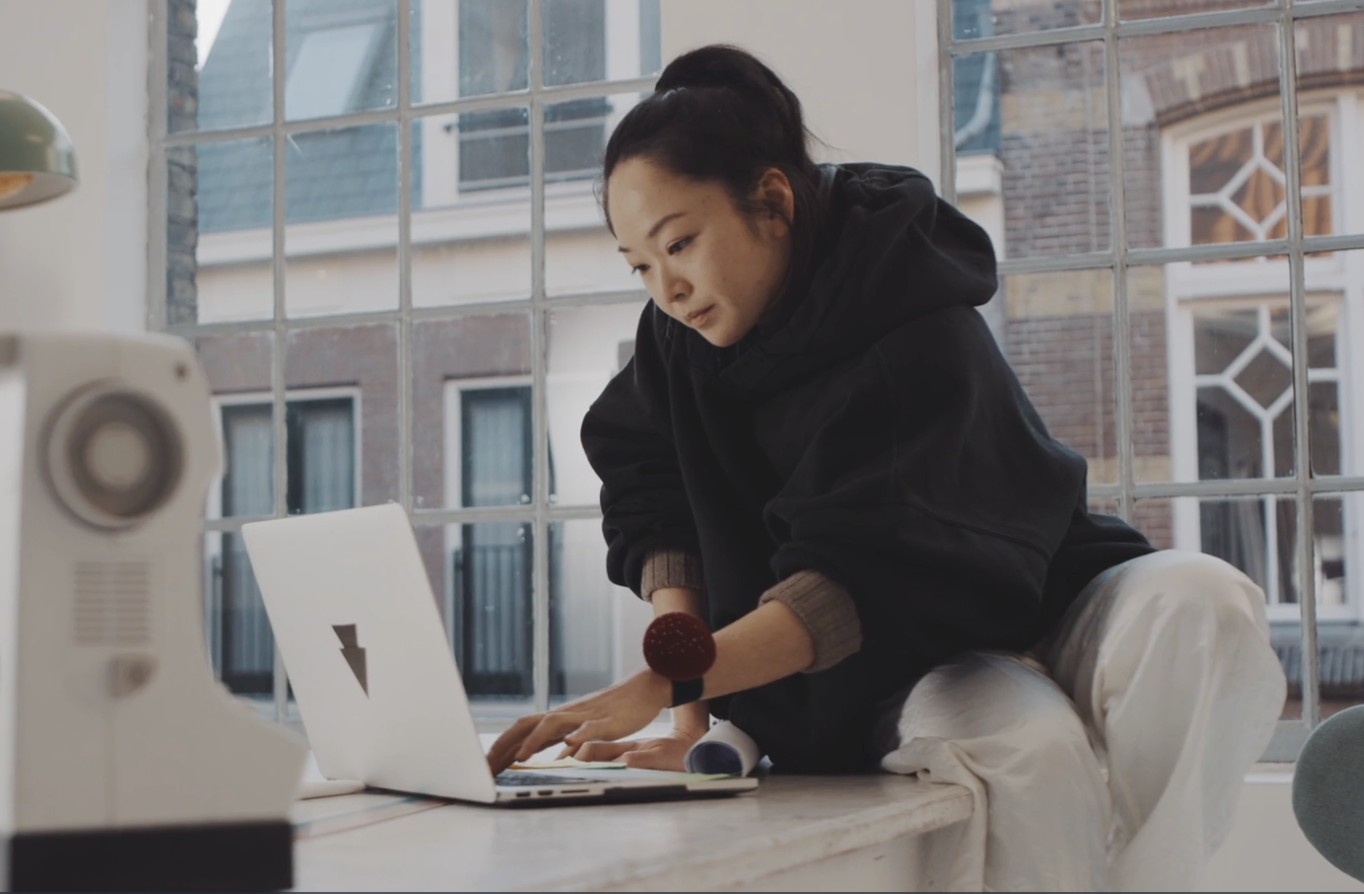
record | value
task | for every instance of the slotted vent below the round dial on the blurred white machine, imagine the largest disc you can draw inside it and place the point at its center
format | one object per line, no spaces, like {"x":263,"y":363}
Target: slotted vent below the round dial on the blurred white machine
{"x":114,"y":604}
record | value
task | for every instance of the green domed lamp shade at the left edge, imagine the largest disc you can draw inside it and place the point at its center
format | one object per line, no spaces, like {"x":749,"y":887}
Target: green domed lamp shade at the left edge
{"x":38,"y":160}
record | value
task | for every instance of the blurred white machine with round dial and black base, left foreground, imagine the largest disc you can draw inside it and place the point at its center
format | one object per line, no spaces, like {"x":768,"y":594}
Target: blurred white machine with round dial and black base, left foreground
{"x":123,"y":764}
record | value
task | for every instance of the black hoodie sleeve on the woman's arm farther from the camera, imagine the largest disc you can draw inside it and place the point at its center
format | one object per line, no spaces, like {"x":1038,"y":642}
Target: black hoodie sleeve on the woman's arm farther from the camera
{"x":628,"y":439}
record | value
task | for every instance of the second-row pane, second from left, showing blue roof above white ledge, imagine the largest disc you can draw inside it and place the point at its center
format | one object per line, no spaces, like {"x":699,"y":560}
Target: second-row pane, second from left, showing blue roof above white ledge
{"x":342,"y":200}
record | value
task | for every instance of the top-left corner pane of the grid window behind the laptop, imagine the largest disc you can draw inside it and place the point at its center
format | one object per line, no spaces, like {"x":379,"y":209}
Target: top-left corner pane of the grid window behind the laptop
{"x":219,"y":65}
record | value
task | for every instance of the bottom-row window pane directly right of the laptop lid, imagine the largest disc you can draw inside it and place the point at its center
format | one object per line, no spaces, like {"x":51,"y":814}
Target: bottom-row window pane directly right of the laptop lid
{"x":486,"y":590}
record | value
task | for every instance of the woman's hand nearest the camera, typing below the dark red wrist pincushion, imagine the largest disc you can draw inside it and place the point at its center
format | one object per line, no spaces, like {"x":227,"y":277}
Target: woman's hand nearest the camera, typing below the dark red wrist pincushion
{"x":614,"y":713}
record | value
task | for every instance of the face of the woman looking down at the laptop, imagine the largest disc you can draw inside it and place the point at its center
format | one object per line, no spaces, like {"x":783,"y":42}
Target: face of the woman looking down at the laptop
{"x":706,"y":263}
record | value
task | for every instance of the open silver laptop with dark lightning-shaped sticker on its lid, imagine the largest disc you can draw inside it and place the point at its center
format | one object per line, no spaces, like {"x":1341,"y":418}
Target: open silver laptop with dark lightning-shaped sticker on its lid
{"x":376,"y":679}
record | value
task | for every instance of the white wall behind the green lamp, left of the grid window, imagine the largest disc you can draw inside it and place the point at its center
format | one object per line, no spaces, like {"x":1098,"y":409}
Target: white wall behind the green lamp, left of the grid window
{"x":80,"y":261}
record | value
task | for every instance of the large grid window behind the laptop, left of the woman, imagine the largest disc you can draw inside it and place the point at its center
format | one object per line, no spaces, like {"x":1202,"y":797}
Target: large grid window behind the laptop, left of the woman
{"x":379,"y":226}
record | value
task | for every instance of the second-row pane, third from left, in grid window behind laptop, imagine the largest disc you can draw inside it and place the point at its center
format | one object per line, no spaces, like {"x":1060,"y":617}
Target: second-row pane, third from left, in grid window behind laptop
{"x":469,"y":245}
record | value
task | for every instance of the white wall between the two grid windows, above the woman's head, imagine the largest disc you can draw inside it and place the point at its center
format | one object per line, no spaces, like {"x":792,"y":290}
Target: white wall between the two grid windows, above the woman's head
{"x":865,"y":70}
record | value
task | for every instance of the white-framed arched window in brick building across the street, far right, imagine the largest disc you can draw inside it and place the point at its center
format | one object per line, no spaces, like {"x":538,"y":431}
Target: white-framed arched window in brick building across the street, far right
{"x":1231,"y":346}
